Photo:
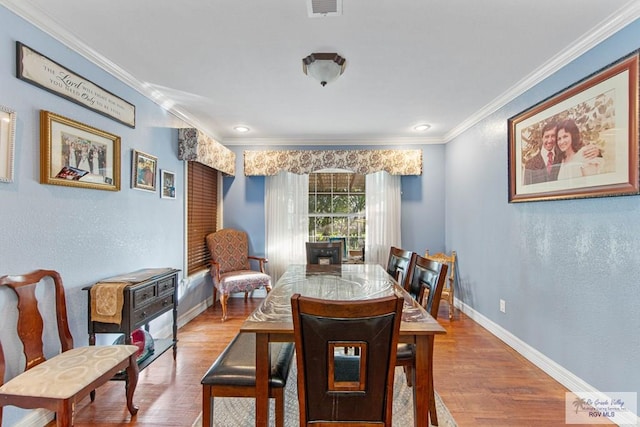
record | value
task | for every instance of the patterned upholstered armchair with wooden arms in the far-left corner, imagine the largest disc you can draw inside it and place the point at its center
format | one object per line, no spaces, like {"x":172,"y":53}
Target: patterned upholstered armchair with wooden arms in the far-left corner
{"x":231,"y":266}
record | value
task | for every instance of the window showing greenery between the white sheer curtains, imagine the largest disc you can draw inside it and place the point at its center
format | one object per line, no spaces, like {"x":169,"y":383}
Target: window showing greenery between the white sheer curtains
{"x":337,"y":208}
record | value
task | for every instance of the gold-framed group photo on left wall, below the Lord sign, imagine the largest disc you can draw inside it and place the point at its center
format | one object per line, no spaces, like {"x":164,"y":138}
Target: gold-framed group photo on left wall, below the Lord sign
{"x":74,"y":154}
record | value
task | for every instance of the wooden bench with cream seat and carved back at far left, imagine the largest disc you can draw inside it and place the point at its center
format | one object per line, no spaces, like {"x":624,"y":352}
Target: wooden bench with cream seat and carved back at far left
{"x":58,"y":382}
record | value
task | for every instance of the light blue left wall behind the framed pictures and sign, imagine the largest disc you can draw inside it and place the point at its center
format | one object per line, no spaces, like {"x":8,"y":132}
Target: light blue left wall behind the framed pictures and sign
{"x":84,"y":234}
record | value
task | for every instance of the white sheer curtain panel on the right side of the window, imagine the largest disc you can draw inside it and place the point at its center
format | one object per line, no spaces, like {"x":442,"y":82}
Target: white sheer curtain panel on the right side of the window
{"x":383,"y":216}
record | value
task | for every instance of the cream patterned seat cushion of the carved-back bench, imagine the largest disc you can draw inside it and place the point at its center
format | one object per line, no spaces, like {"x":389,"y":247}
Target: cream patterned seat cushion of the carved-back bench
{"x":63,"y":376}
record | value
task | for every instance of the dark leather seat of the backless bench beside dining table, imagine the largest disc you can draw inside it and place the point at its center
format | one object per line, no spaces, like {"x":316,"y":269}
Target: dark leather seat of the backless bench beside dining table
{"x":236,"y":365}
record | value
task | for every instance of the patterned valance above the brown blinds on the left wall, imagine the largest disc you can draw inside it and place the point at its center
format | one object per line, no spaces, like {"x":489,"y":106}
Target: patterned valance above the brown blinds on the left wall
{"x":195,"y":146}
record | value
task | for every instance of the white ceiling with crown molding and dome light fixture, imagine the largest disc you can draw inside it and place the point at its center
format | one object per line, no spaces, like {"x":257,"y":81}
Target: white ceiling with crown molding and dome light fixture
{"x":221,"y":63}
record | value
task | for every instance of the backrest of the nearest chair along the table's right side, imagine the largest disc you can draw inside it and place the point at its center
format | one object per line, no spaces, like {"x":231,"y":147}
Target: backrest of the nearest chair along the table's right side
{"x":427,"y":282}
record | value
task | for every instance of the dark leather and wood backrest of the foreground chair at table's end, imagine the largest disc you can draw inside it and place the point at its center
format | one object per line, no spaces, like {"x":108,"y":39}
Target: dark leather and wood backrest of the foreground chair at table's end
{"x":350,"y":389}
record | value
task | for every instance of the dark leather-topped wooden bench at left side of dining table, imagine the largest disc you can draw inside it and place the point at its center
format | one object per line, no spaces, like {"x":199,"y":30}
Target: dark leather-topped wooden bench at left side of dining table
{"x":233,"y":374}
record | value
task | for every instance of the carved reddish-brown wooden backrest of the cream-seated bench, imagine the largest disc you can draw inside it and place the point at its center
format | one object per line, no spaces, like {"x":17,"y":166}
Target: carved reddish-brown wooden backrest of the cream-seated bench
{"x":31,"y":321}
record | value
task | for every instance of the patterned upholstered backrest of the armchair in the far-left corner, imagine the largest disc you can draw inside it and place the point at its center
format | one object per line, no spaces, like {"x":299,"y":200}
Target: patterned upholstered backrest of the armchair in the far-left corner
{"x":230,"y":249}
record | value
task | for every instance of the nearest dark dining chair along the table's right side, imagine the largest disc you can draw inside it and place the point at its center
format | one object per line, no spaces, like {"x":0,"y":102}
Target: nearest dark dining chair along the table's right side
{"x":426,"y":285}
